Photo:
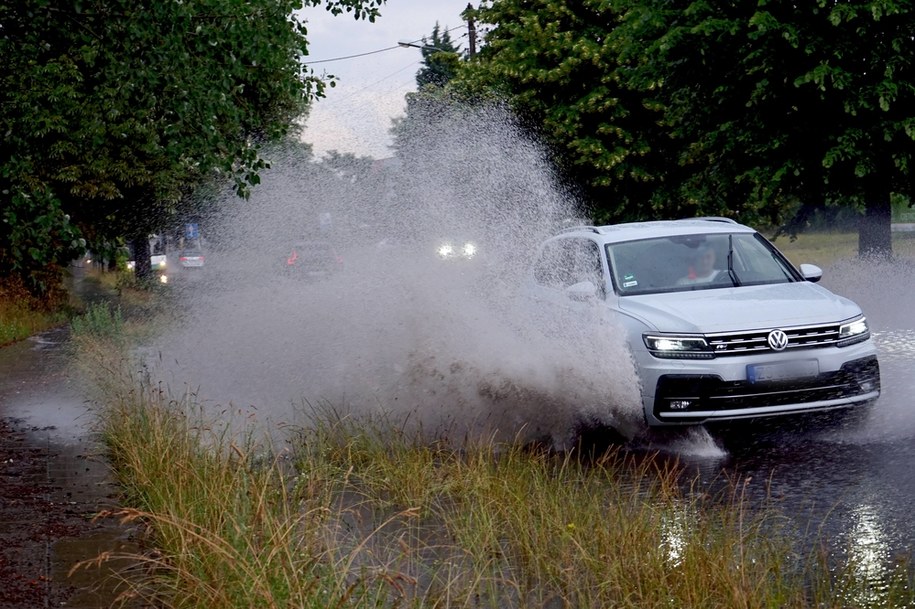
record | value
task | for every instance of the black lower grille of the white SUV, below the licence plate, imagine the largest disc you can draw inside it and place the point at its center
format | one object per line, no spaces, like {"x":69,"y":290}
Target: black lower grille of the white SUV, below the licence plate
{"x":709,"y":392}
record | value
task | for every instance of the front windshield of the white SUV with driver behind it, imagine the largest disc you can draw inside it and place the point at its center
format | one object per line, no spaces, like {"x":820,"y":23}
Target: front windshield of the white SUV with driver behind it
{"x":695,"y":262}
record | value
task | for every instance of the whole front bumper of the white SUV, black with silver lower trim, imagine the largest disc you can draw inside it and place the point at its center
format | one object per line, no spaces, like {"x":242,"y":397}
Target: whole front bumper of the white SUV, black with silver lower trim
{"x":694,"y":397}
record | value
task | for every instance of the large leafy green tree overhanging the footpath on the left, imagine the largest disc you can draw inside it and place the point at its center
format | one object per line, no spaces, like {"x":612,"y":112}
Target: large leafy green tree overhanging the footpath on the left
{"x":112,"y":111}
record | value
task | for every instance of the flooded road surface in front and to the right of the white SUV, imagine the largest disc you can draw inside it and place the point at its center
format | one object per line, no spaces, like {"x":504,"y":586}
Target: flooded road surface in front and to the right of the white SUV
{"x":849,"y":486}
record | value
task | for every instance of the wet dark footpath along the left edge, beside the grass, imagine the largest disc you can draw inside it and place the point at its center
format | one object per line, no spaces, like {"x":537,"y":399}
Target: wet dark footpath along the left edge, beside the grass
{"x":53,"y":482}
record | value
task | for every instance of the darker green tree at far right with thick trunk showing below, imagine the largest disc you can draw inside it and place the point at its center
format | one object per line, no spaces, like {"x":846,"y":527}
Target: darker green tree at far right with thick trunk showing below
{"x":787,"y":108}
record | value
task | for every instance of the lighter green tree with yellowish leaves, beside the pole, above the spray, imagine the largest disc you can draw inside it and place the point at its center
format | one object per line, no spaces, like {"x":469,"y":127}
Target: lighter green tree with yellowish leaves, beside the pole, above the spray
{"x":561,"y":68}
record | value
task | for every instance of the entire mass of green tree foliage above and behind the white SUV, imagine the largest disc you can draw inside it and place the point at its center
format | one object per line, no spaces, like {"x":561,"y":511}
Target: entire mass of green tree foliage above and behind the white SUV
{"x":759,"y":110}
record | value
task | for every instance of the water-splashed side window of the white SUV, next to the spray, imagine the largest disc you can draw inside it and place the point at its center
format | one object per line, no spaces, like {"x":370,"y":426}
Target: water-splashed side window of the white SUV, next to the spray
{"x":566,"y":262}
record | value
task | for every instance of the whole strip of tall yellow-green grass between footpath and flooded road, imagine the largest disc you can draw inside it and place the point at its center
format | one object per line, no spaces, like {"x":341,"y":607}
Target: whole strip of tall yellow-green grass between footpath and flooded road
{"x":354,"y":512}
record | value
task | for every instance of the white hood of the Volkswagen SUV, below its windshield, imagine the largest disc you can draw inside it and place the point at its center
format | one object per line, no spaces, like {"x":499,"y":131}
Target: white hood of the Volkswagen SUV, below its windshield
{"x":741,"y":308}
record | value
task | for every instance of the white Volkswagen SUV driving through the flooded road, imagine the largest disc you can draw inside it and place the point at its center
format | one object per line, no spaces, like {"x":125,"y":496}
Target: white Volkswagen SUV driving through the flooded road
{"x":720,"y":325}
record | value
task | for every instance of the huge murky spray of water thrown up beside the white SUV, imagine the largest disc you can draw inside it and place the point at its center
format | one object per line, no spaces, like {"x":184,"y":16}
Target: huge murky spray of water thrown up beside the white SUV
{"x":446,"y":344}
